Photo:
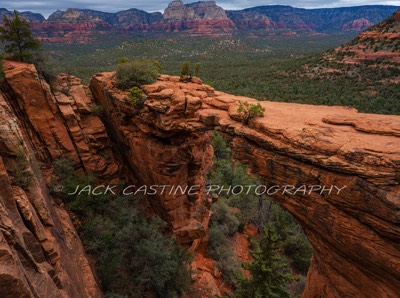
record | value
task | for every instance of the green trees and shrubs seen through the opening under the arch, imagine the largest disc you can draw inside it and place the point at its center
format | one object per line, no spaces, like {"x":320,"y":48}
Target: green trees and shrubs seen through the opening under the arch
{"x":279,"y":241}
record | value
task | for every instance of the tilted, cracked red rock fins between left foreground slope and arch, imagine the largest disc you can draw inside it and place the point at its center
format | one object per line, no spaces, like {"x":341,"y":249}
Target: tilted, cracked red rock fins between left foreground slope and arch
{"x":60,"y":121}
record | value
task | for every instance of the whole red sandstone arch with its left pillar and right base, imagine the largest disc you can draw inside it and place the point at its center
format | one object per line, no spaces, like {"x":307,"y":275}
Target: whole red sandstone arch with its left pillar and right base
{"x":355,"y":233}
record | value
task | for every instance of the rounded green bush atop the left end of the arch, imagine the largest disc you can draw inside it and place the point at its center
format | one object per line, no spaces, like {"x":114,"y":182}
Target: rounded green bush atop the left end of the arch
{"x":137,"y":73}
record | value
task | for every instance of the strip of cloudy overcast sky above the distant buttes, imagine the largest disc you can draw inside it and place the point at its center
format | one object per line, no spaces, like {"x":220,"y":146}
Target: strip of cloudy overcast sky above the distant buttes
{"x":46,"y":7}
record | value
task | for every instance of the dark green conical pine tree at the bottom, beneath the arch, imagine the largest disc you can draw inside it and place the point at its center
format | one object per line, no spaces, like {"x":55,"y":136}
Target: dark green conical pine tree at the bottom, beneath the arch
{"x":269,"y":273}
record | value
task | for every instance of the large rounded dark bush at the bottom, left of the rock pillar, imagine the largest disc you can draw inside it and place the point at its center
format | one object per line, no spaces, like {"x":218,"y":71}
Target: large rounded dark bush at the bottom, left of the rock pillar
{"x":134,"y":258}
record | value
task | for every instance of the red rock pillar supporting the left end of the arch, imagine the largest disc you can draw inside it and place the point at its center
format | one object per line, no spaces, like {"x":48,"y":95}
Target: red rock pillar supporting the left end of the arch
{"x":162,"y":155}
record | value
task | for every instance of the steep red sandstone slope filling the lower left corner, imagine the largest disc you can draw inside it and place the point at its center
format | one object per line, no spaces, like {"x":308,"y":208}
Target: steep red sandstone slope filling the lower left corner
{"x":40,"y":251}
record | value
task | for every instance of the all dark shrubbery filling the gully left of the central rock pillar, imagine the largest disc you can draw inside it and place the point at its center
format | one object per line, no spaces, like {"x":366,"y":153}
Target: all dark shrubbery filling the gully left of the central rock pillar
{"x":135,"y":255}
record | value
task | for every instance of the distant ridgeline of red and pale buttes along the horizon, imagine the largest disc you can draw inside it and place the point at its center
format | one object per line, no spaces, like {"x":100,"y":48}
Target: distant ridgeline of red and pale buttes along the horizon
{"x":204,"y":18}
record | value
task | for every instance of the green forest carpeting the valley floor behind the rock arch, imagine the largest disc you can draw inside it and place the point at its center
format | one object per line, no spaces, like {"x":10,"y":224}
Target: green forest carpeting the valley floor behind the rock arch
{"x":284,"y":69}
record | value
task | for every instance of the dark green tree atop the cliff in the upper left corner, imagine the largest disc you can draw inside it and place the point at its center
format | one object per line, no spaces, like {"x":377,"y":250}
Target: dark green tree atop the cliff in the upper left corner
{"x":17,"y":38}
